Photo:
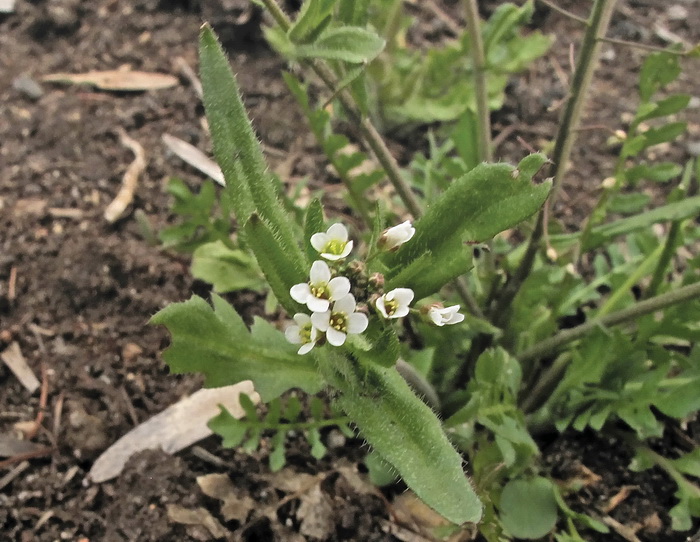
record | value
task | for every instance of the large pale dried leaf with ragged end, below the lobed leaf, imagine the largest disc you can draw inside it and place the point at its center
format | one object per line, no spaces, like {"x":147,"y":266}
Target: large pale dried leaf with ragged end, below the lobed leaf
{"x":177,"y":427}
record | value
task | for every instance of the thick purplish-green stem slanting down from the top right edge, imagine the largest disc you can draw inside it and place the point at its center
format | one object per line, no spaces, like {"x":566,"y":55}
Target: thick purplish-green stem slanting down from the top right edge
{"x":585,"y":66}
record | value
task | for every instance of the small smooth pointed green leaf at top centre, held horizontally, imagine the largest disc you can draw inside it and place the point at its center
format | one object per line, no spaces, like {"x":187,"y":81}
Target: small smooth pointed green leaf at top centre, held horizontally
{"x":348,"y":43}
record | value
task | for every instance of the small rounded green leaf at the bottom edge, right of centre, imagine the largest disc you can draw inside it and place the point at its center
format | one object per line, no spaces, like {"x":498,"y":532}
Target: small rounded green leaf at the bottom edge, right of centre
{"x":528,"y":508}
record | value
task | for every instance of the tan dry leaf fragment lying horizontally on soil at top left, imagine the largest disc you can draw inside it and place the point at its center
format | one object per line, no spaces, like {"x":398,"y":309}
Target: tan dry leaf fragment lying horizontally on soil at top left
{"x":118,"y":80}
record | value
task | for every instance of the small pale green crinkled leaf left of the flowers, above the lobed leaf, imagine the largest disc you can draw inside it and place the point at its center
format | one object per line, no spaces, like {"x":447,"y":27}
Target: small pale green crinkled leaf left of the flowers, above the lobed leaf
{"x":226,"y":269}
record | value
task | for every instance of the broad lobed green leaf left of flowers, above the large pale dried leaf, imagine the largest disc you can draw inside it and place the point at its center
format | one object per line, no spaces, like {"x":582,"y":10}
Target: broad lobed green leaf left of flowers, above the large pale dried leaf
{"x":216,"y":343}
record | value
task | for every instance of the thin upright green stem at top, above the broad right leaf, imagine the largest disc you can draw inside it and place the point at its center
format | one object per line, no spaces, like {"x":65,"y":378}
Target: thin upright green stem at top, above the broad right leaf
{"x":479,"y":63}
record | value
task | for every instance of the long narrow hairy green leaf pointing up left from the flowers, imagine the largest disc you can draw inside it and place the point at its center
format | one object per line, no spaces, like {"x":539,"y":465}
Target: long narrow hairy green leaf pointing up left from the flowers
{"x":250,"y":186}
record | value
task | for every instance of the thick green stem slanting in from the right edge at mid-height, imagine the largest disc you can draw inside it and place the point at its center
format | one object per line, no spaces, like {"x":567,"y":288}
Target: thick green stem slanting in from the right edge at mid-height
{"x":659,"y":302}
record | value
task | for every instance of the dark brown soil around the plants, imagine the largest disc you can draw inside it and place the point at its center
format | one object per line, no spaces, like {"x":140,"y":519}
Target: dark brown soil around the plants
{"x":76,"y":292}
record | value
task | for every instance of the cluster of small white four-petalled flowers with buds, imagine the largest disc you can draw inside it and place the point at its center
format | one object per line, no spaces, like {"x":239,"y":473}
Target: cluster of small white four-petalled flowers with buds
{"x":335,"y":312}
